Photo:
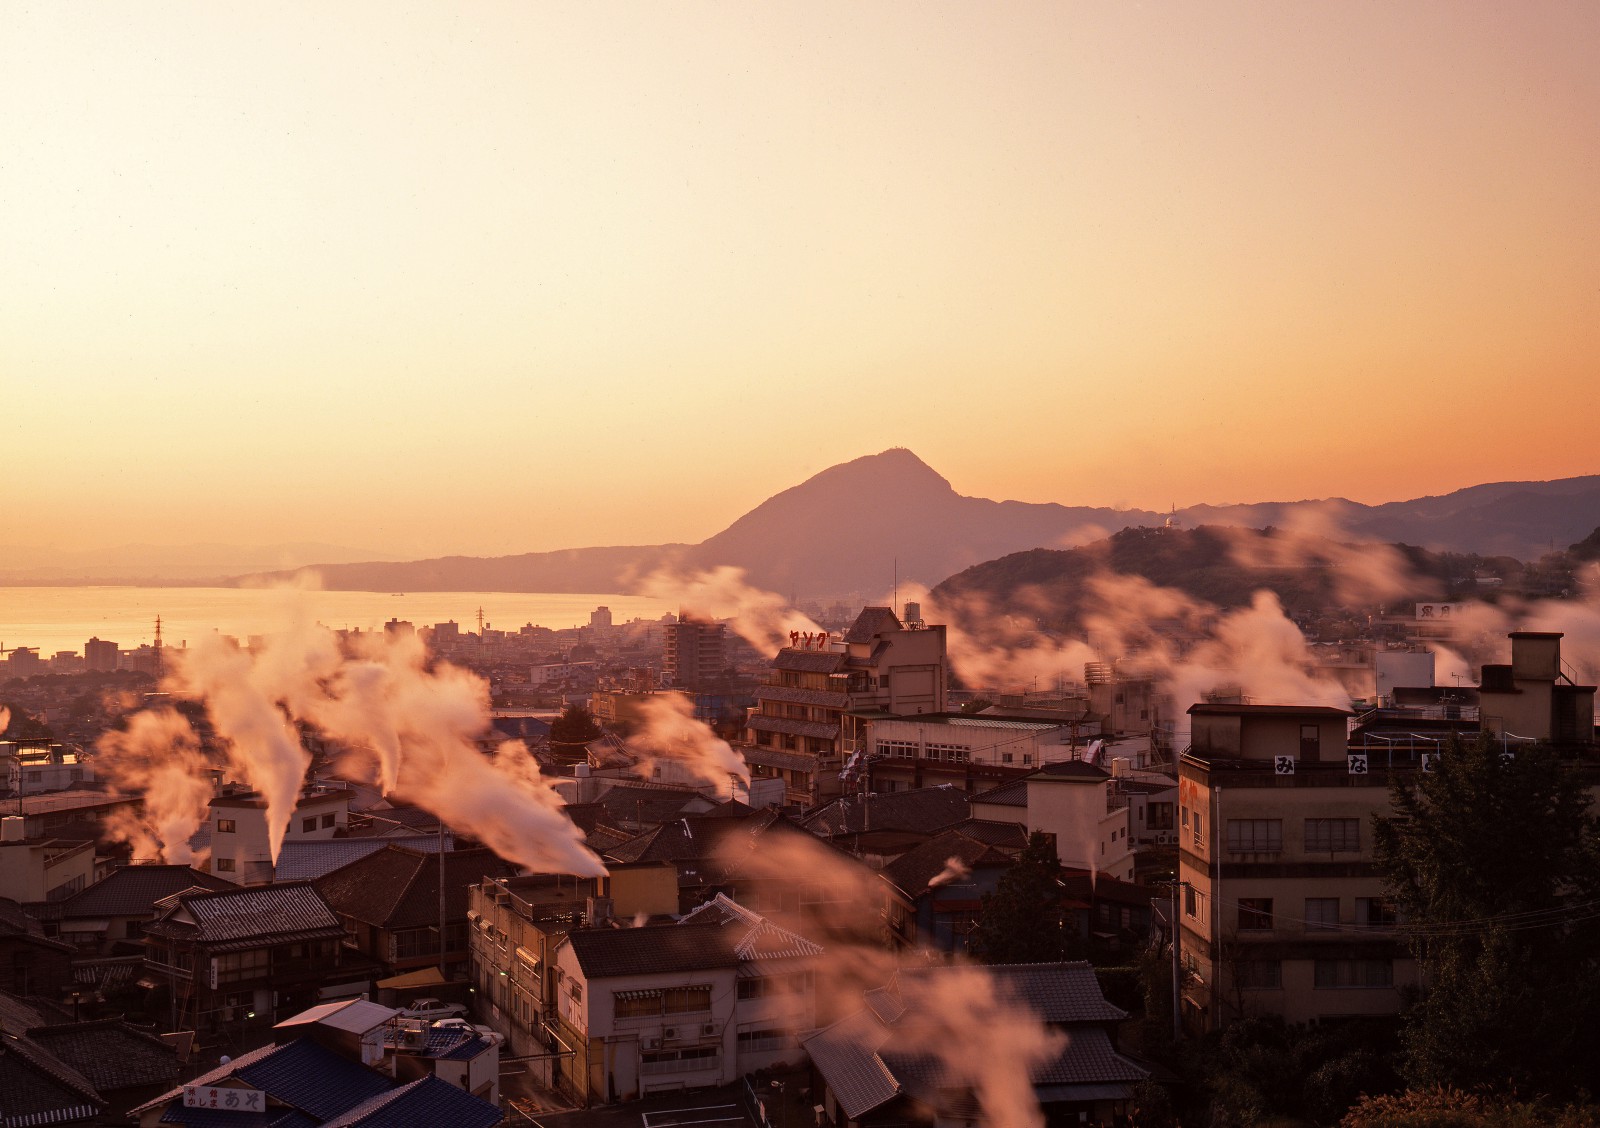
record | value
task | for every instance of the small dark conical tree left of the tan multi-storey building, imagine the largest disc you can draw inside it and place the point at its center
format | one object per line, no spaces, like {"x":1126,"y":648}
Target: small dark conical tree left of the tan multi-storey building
{"x":1025,"y":919}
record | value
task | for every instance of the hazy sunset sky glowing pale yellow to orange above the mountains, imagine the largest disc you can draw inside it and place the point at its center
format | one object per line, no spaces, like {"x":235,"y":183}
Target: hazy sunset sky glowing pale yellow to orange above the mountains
{"x":521,"y":276}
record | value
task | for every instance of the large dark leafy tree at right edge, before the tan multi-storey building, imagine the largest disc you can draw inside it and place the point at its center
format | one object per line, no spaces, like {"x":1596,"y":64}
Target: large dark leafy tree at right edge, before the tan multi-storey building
{"x":1494,"y":863}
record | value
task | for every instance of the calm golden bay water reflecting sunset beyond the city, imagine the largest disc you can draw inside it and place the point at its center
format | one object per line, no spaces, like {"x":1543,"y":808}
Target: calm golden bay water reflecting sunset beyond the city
{"x":65,"y":618}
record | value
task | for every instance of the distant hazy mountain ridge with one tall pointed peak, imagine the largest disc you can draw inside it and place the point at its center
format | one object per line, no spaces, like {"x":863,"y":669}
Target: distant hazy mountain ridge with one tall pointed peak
{"x":857,"y":527}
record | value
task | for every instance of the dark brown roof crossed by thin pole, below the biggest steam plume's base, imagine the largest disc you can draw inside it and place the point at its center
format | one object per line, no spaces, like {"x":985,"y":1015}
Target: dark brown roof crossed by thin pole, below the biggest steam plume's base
{"x":398,"y":887}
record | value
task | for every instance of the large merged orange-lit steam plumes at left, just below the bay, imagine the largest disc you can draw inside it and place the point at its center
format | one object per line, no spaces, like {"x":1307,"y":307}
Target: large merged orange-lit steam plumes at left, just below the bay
{"x":410,"y":727}
